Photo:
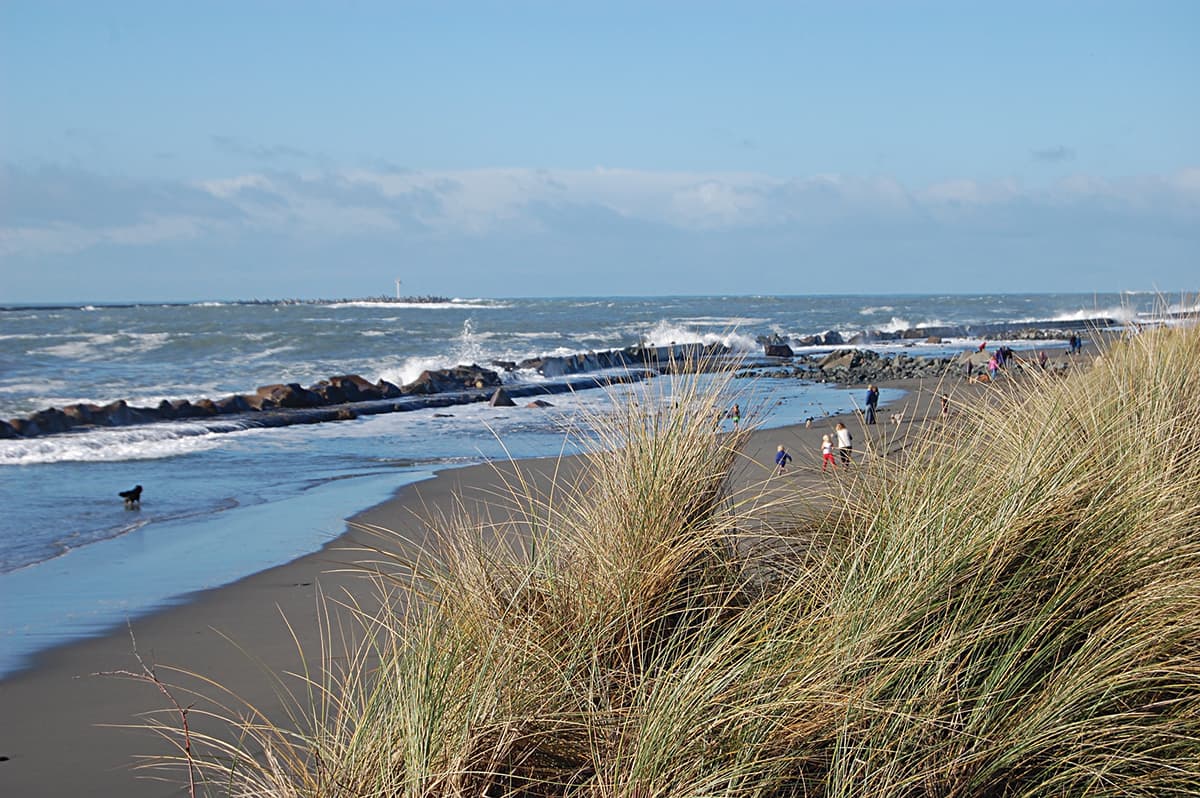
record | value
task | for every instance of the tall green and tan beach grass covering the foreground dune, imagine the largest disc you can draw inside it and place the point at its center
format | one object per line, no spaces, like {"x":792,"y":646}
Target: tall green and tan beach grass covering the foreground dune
{"x":1010,"y":608}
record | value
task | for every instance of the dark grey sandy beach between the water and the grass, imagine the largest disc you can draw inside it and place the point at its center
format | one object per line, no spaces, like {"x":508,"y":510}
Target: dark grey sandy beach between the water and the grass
{"x":63,"y":723}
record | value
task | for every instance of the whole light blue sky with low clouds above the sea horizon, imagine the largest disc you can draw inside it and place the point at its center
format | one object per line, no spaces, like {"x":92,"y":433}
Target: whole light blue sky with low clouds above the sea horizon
{"x":178,"y":152}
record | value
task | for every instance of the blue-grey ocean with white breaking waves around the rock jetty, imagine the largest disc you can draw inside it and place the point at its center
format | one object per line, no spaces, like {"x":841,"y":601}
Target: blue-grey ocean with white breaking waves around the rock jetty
{"x":224,"y":501}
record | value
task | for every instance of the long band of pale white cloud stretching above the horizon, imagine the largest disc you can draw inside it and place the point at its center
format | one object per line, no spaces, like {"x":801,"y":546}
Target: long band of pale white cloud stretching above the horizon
{"x":481,"y":203}
